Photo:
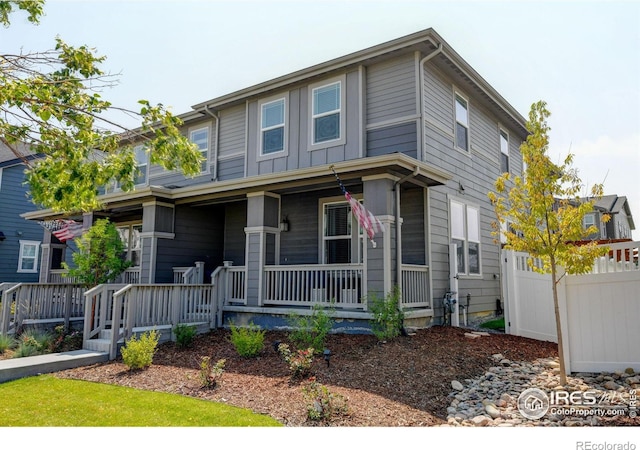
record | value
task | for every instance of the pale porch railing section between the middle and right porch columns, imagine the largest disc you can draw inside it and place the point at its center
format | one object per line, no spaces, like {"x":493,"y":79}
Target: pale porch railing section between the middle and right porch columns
{"x":339,"y":285}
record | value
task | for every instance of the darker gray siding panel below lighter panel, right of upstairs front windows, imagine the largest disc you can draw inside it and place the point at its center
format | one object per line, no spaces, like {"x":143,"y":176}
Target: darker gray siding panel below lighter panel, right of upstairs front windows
{"x":393,"y":139}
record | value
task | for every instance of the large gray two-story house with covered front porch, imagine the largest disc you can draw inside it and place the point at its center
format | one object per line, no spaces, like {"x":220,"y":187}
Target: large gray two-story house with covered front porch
{"x":413,"y":132}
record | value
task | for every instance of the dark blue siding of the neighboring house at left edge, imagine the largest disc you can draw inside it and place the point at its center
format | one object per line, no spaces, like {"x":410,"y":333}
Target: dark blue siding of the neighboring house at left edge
{"x":13,"y":202}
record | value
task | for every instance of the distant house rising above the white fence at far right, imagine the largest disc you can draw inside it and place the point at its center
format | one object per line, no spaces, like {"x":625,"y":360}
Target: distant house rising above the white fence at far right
{"x":620,"y":223}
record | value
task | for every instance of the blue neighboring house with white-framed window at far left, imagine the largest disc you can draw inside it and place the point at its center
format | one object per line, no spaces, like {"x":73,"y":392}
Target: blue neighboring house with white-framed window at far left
{"x":20,"y":239}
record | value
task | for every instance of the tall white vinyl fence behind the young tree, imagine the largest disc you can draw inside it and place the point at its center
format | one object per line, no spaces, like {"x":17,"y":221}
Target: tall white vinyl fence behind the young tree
{"x":600,"y":311}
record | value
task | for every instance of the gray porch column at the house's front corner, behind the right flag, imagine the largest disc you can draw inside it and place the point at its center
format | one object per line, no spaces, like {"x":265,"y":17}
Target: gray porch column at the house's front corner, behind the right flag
{"x":380,"y":262}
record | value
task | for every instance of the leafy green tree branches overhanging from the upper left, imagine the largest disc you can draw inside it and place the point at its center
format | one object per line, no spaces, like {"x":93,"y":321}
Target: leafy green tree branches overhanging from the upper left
{"x":50,"y":101}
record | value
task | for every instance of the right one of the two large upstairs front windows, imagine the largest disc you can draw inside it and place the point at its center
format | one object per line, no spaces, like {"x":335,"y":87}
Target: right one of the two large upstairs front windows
{"x":326,"y":111}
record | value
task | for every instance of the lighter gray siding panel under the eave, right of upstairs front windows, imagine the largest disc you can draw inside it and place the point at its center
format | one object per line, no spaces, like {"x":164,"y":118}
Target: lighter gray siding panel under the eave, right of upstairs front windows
{"x":391,"y":90}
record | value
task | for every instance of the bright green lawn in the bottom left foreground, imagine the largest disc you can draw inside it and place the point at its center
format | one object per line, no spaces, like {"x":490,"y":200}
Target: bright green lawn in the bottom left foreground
{"x":46,"y":401}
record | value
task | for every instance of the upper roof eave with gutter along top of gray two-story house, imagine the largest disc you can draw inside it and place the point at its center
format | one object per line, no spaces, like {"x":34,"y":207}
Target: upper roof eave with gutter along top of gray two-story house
{"x":426,"y":41}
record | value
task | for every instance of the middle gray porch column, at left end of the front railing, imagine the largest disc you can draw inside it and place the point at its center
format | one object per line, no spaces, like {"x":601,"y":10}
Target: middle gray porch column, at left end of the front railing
{"x":262,"y":237}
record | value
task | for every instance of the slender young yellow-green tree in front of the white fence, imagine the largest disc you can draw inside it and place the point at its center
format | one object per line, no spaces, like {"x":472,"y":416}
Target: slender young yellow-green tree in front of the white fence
{"x":541,"y":213}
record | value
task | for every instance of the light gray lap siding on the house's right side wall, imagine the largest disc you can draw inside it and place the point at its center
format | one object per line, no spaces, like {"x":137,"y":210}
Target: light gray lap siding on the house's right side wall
{"x":476,"y":171}
